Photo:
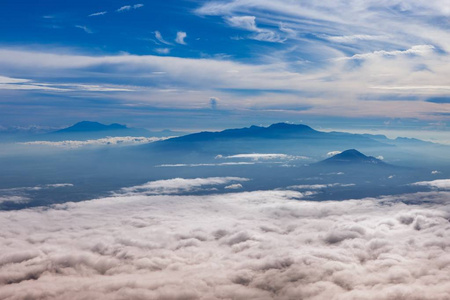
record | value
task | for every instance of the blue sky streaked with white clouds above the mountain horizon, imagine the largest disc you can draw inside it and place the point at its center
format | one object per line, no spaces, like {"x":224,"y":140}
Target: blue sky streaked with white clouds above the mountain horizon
{"x":217,"y":64}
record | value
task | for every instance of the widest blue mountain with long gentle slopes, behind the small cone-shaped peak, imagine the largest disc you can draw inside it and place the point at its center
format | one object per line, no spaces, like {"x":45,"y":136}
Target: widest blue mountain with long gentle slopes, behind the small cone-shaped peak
{"x":295,"y":139}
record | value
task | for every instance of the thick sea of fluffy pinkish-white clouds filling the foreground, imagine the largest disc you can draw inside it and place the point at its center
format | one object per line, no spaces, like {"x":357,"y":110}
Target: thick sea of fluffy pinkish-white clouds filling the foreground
{"x":248,"y":245}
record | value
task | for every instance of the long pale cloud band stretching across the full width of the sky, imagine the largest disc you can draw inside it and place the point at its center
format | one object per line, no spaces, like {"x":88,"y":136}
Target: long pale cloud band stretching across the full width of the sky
{"x":204,"y":77}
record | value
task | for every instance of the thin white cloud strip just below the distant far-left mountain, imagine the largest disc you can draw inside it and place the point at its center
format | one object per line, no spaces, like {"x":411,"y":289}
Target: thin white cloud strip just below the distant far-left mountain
{"x":108,"y":141}
